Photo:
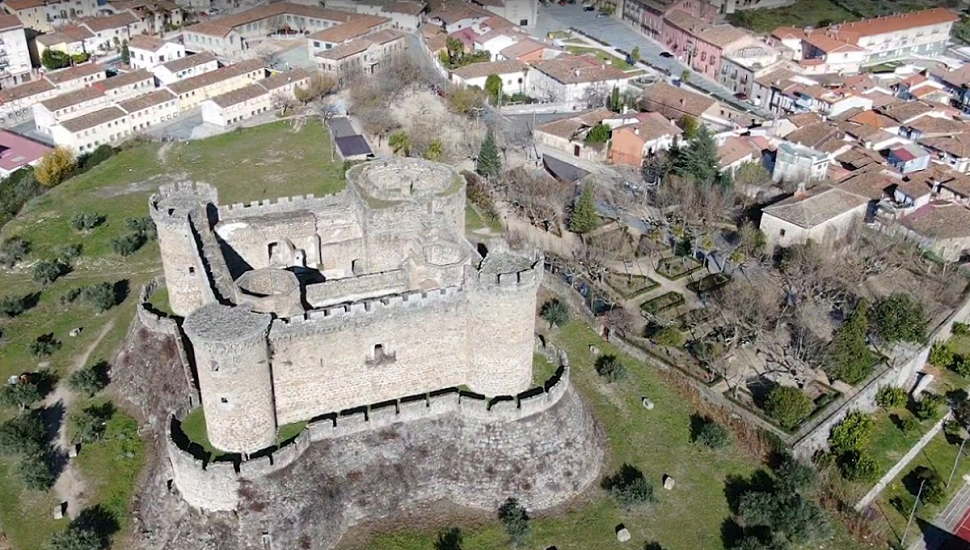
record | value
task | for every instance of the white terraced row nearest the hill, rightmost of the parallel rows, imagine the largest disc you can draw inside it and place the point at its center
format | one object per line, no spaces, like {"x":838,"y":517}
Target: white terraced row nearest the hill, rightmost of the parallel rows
{"x":242,"y":104}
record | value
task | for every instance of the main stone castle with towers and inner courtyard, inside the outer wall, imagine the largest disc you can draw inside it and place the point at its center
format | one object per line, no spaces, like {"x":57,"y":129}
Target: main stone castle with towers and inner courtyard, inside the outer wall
{"x":308,"y":306}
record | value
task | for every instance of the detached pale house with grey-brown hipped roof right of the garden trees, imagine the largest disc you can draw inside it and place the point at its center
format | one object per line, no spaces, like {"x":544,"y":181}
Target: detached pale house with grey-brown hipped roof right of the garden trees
{"x":822,"y":215}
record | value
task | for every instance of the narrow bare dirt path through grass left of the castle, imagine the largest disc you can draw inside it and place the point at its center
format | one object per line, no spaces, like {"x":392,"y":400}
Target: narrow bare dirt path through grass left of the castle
{"x":69,"y":486}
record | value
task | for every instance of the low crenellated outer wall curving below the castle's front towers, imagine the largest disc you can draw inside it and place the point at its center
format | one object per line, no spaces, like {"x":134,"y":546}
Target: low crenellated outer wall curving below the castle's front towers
{"x":215,"y":485}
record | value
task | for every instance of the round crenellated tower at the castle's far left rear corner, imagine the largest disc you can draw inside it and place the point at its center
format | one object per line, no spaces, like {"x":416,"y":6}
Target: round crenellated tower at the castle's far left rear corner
{"x":185,"y":277}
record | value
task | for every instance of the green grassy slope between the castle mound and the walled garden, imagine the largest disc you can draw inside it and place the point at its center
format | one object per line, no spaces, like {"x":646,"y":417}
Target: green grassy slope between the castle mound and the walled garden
{"x":658,"y":442}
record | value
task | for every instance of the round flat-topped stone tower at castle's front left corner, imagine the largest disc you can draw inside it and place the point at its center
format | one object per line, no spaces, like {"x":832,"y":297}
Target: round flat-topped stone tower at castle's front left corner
{"x":232,"y":364}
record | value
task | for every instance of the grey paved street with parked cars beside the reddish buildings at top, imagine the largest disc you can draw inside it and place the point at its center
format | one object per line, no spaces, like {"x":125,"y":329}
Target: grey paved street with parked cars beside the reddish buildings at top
{"x":620,"y":35}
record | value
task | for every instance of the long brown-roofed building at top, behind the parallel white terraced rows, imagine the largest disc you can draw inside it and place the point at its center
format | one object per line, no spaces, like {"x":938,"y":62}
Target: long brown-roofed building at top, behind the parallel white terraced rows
{"x":229,"y":36}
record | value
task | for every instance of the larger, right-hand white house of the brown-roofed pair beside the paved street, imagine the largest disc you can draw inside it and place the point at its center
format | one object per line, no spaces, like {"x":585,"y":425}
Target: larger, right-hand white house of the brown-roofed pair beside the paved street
{"x":565,"y":79}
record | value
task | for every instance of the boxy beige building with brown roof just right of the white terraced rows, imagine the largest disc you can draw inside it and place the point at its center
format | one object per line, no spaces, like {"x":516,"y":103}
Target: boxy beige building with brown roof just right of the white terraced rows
{"x":364,"y":56}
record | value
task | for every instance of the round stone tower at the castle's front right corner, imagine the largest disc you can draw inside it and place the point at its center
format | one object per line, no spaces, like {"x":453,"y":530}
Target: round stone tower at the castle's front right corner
{"x":501,"y":338}
